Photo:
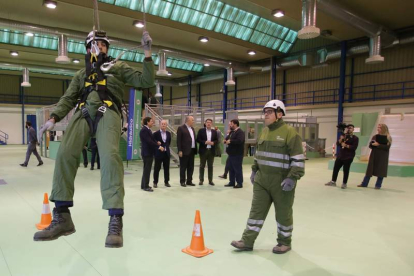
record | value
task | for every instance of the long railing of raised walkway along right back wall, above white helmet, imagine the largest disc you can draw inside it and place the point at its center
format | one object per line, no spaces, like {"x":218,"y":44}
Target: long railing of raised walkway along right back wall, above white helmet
{"x":374,"y":92}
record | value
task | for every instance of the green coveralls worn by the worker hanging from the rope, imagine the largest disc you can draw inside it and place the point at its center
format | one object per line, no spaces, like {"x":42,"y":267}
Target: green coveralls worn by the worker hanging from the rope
{"x":107,"y":135}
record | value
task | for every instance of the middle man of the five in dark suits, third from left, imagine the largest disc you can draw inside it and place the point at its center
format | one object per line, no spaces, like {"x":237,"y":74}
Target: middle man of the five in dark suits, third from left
{"x":187,"y":149}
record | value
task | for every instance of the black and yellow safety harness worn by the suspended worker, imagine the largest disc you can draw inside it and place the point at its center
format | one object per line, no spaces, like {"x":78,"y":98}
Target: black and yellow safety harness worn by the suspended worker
{"x":96,"y":81}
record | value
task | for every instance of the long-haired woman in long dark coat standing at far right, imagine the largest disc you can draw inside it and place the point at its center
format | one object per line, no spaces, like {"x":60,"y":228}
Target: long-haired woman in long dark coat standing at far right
{"x":378,"y":160}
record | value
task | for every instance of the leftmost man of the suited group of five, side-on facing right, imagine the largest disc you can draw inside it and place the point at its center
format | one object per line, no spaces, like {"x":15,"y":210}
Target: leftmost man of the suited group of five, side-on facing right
{"x":148,"y":148}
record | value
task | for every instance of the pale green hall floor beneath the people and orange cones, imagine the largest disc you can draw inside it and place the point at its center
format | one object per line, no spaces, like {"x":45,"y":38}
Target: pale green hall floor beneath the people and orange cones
{"x":336,"y":232}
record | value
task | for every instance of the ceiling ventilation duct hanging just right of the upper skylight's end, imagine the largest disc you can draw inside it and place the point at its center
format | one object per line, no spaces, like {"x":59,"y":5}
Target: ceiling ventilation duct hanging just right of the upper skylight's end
{"x":309,"y":29}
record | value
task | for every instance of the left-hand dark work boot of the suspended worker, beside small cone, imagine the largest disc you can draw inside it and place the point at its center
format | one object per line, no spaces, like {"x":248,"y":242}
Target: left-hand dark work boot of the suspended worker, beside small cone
{"x":62,"y":225}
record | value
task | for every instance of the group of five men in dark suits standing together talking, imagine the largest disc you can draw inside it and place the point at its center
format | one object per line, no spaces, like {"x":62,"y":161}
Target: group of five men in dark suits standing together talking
{"x":189,"y":144}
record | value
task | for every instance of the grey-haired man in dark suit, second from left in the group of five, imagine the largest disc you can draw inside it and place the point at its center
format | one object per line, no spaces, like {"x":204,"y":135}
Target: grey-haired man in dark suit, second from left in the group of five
{"x":162,"y":157}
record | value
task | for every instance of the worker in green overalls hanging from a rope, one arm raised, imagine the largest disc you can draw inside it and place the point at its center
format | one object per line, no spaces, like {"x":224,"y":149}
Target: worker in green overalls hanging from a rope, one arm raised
{"x":98,"y":114}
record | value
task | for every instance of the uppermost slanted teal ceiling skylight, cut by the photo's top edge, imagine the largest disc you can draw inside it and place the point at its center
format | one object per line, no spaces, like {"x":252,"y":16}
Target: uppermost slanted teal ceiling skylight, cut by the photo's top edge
{"x":214,"y":15}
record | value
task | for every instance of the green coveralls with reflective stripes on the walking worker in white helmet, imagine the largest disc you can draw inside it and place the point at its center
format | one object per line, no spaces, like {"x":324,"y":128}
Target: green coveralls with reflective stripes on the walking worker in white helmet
{"x":279,"y":155}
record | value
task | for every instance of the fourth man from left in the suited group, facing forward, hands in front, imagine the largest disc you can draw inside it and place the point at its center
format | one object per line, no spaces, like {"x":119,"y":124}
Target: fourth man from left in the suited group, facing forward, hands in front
{"x":207,"y":138}
